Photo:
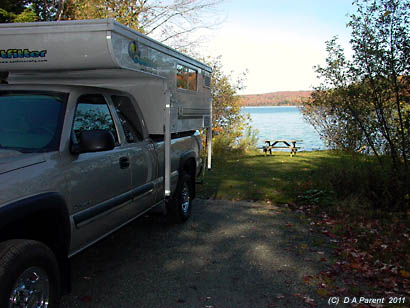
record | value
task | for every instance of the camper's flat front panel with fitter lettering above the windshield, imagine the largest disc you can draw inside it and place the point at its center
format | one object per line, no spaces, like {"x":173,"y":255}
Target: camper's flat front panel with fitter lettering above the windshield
{"x":62,"y":46}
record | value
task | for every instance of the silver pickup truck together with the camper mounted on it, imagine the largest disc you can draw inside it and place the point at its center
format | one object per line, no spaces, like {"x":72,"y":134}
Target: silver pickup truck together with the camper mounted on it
{"x":98,"y":125}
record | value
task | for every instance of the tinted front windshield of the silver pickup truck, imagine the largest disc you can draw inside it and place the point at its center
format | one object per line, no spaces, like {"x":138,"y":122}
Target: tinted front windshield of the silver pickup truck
{"x":31,"y":121}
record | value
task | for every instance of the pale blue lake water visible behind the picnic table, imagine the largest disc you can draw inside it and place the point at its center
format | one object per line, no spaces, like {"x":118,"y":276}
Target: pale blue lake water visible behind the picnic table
{"x":285,"y":123}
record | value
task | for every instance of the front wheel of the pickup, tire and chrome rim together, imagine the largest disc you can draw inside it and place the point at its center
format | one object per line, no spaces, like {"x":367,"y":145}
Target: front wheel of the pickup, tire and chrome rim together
{"x":29,"y":275}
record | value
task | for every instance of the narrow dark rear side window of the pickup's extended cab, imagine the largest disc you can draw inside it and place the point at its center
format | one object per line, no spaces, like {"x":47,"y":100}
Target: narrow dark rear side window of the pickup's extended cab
{"x":129,"y":119}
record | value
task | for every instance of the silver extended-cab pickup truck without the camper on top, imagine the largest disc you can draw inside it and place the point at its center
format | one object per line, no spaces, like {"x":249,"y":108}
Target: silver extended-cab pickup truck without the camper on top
{"x":76,"y":164}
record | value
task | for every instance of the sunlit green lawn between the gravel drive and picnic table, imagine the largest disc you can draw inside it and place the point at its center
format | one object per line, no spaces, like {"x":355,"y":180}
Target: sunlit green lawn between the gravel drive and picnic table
{"x":277,"y":178}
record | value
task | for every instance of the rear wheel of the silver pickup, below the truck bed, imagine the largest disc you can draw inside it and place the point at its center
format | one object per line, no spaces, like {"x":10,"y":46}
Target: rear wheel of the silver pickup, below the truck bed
{"x":179,"y":207}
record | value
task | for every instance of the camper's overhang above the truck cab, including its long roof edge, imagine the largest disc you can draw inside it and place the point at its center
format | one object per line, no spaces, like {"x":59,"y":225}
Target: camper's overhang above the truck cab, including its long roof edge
{"x":83,"y":45}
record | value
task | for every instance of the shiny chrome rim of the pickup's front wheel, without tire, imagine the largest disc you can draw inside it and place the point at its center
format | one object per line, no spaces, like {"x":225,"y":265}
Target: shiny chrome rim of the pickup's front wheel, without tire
{"x":31,"y":290}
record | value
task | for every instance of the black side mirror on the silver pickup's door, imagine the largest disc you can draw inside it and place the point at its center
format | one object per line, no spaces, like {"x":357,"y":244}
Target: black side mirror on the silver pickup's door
{"x":93,"y":141}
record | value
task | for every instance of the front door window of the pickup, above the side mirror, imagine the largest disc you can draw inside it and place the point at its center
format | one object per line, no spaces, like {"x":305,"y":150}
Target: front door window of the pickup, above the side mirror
{"x":92,"y":113}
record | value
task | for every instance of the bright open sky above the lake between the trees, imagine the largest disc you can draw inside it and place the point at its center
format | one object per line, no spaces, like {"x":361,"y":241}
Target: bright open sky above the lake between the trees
{"x":278,"y":41}
